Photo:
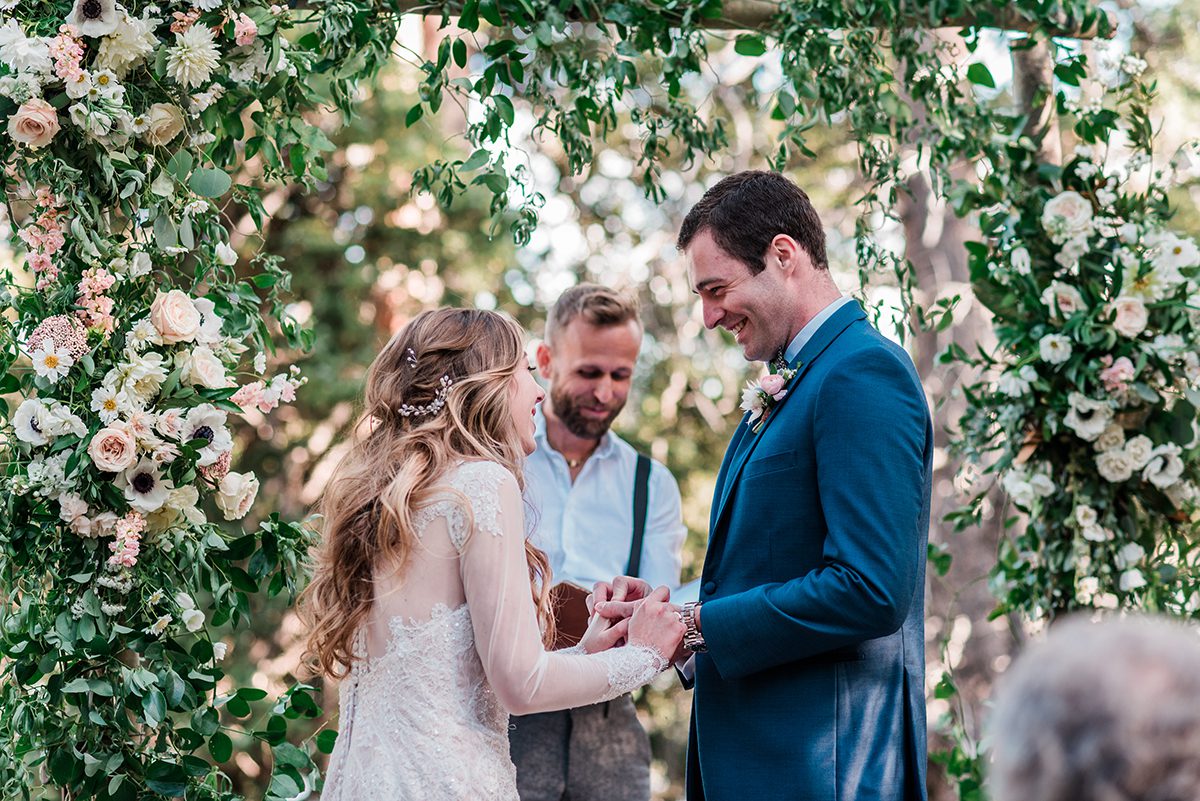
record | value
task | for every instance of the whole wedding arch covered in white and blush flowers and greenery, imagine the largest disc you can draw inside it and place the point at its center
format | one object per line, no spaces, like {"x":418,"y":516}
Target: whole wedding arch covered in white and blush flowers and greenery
{"x":134,"y":329}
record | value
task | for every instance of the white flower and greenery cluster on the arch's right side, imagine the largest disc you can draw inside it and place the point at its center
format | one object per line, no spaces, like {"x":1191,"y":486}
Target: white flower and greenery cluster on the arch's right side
{"x":1088,"y":405}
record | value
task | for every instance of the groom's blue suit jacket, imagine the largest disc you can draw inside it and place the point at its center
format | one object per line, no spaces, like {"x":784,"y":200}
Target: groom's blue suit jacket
{"x":813,"y":686}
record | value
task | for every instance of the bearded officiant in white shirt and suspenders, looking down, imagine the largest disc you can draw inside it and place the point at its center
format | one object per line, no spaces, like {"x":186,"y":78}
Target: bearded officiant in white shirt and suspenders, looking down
{"x":599,"y":509}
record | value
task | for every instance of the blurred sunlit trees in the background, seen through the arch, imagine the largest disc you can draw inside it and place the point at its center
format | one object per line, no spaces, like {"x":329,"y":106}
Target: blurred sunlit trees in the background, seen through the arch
{"x":367,"y":255}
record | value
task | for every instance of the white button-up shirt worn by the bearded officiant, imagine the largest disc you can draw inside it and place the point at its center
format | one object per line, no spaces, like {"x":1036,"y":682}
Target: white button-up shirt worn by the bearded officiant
{"x":587,"y":528}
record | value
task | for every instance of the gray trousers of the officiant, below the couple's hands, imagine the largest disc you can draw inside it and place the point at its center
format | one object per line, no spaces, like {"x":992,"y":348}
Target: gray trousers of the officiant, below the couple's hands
{"x":591,"y":754}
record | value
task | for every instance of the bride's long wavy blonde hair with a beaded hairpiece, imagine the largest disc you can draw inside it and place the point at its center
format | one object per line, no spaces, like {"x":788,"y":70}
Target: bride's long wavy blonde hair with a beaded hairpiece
{"x":395,"y":463}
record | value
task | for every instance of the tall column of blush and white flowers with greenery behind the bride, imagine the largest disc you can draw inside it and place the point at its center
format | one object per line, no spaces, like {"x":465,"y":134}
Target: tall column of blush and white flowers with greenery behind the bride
{"x":131,"y":332}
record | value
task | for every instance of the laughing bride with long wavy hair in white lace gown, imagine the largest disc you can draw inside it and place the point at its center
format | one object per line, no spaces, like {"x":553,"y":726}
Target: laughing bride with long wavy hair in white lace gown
{"x":429,"y":603}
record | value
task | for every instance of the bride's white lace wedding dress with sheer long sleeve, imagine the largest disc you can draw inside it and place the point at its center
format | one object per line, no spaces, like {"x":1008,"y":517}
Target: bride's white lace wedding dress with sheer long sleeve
{"x":453,"y":647}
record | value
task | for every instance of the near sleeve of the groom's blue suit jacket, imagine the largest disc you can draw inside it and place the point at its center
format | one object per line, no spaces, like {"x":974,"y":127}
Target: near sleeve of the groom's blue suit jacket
{"x":871,"y":431}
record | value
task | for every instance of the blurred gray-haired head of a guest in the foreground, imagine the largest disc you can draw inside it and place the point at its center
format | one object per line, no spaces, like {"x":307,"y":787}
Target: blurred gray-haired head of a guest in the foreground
{"x":1106,"y":712}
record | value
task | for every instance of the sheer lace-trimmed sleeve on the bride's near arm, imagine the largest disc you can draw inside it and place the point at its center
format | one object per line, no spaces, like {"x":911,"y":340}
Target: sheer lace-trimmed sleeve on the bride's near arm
{"x":525,"y":677}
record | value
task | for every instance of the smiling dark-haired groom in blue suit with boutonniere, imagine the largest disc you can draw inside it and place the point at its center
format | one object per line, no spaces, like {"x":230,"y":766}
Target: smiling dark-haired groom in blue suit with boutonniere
{"x":808,"y":639}
